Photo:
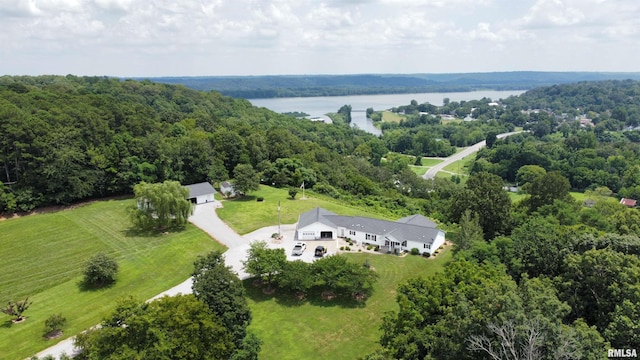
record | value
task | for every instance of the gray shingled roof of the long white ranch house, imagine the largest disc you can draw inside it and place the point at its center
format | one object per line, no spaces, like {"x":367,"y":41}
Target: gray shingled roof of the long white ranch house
{"x":414,"y":228}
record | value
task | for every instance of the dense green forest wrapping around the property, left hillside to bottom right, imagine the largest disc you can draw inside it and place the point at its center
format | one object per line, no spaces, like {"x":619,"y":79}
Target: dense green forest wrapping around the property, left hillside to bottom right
{"x":546,"y":277}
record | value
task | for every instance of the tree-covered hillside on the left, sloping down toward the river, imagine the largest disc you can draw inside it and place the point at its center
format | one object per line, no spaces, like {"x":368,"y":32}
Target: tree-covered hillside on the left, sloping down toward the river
{"x":71,"y":138}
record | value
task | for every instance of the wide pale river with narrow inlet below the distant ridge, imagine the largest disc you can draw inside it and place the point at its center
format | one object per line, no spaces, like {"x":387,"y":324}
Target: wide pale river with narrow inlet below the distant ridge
{"x":318,"y":107}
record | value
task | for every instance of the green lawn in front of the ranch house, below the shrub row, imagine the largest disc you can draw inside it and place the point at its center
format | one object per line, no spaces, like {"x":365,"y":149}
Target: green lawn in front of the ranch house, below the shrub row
{"x":317,"y":329}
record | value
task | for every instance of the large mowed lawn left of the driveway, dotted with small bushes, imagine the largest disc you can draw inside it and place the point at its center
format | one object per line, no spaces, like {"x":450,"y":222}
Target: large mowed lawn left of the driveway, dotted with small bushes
{"x":43,"y":259}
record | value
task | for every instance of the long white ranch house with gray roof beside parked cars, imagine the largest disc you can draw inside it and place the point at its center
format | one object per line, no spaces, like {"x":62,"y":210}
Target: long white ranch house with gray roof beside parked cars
{"x":415,"y":231}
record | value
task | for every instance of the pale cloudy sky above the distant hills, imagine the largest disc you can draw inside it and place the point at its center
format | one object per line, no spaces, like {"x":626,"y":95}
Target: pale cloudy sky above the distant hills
{"x":275,"y":37}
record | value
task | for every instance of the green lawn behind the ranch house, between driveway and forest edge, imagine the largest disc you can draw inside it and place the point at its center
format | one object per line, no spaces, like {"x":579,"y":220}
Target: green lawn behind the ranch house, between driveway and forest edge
{"x":245,"y":215}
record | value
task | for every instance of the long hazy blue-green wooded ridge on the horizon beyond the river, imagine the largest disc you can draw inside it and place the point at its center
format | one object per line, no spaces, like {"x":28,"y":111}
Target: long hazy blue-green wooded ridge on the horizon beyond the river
{"x":253,"y":87}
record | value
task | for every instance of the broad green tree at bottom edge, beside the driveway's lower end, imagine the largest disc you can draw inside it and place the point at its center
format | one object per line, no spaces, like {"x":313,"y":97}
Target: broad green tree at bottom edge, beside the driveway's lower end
{"x":172,"y":327}
